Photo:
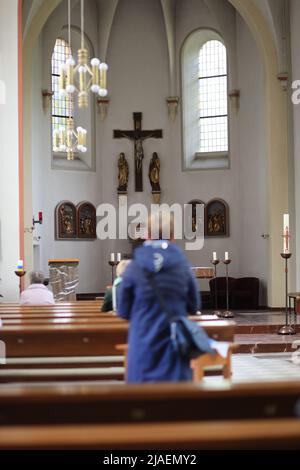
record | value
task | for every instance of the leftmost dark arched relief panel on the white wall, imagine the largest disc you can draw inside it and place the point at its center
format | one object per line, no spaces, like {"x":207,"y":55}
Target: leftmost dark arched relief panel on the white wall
{"x":65,"y":221}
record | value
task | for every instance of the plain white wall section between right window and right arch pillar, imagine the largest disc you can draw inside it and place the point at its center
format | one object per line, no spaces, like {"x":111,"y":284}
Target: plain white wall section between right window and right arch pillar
{"x":251,"y":187}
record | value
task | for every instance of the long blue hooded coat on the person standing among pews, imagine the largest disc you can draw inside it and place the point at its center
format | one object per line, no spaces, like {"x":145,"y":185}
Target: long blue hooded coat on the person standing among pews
{"x":151,"y":357}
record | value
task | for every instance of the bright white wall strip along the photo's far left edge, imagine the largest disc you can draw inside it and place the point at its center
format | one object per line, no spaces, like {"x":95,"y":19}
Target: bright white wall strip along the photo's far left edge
{"x":9,"y":173}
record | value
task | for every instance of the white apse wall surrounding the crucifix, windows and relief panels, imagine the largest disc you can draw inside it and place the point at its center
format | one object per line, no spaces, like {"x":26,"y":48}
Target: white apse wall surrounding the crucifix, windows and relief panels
{"x":138,"y":81}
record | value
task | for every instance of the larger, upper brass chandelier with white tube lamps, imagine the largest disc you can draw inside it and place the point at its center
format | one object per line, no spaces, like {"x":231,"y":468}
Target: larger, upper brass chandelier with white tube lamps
{"x":83,"y":77}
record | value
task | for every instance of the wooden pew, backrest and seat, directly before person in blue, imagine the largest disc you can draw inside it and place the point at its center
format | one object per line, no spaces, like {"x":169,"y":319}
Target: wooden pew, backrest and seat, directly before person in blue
{"x":52,"y":352}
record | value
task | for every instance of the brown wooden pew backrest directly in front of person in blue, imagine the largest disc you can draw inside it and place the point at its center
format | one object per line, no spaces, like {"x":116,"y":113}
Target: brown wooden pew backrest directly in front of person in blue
{"x":88,"y":339}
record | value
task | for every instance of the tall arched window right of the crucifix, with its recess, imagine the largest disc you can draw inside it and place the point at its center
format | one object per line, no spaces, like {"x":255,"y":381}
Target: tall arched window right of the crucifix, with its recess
{"x":205,"y":101}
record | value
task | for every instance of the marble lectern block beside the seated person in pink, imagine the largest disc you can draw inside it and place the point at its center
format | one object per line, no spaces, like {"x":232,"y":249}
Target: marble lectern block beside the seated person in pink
{"x":64,"y":278}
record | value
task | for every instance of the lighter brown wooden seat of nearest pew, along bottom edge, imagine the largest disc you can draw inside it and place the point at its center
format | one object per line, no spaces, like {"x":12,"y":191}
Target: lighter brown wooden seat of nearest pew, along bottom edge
{"x":229,"y":435}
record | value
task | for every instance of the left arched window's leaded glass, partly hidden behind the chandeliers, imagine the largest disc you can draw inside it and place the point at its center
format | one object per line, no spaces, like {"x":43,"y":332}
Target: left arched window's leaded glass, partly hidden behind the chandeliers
{"x":62,"y":107}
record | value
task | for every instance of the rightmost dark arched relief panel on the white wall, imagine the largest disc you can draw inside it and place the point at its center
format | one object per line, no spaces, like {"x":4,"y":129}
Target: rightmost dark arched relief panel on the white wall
{"x":217,"y":219}
